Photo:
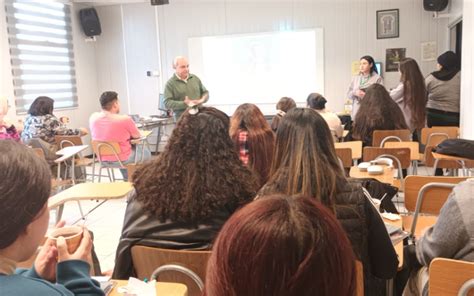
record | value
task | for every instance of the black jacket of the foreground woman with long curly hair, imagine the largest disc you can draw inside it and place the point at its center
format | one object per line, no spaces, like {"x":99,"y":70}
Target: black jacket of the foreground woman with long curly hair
{"x":140,"y":228}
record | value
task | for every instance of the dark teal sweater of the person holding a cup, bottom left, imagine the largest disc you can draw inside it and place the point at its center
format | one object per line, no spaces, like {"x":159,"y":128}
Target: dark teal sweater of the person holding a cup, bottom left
{"x":72,"y":278}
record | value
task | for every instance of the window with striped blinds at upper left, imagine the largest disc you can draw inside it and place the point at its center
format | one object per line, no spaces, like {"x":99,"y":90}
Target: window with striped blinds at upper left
{"x":42,"y":58}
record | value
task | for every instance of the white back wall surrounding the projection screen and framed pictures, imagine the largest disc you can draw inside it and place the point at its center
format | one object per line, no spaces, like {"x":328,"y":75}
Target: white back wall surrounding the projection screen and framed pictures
{"x":349,"y":32}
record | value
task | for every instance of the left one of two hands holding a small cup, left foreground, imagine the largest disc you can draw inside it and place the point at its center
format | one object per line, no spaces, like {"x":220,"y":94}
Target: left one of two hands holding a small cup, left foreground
{"x":46,"y":261}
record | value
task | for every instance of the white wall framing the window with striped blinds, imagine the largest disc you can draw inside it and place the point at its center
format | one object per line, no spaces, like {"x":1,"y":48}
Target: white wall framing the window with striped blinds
{"x":86,"y":77}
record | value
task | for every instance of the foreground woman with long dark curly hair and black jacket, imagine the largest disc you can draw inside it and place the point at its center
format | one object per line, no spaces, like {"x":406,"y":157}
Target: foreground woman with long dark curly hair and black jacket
{"x":183,"y":197}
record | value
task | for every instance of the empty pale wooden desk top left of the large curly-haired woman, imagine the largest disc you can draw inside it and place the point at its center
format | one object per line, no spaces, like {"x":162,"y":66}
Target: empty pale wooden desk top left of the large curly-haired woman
{"x":88,"y":191}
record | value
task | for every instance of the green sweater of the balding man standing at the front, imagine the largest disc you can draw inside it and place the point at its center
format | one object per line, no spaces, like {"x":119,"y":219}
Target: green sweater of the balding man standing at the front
{"x":176,"y":90}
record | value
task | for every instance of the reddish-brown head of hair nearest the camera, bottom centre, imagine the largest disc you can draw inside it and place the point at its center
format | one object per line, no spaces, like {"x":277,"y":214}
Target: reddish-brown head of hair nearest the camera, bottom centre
{"x":281,"y":245}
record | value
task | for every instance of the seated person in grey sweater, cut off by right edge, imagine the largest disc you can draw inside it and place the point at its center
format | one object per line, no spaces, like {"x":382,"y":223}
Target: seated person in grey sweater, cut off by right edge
{"x":451,"y":236}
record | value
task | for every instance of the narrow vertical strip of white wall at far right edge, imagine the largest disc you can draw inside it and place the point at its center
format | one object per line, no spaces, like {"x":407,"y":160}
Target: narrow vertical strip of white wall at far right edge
{"x":467,"y":78}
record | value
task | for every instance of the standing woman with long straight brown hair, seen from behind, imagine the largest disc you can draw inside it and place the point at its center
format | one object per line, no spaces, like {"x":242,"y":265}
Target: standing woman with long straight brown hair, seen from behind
{"x":411,"y":96}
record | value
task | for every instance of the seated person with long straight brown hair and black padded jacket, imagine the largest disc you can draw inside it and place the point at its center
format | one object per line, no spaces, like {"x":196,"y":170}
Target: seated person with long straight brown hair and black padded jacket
{"x":309,"y":166}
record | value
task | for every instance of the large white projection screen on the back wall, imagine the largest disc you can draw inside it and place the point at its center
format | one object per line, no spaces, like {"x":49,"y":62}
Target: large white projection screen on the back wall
{"x":259,"y":68}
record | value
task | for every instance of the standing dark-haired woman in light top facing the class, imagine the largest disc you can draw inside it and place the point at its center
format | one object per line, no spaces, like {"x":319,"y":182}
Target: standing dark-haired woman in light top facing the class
{"x":368,"y":75}
